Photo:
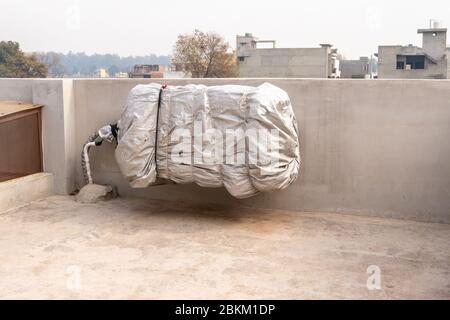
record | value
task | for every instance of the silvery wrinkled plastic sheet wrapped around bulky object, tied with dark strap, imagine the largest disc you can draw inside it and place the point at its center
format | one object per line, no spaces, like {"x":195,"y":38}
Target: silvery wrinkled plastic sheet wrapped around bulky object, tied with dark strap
{"x":240,"y":137}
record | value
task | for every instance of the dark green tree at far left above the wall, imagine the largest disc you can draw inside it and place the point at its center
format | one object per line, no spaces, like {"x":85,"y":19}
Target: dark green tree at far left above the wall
{"x":15,"y":64}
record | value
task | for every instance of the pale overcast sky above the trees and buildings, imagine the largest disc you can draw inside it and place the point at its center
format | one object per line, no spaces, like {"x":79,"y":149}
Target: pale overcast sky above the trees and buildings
{"x":138,"y":27}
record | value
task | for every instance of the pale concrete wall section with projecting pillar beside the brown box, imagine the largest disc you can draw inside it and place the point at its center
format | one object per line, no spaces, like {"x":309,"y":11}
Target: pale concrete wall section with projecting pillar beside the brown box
{"x":58,"y":126}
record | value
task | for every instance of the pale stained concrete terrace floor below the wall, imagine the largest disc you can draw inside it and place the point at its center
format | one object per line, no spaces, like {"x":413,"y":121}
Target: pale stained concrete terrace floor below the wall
{"x":137,"y":249}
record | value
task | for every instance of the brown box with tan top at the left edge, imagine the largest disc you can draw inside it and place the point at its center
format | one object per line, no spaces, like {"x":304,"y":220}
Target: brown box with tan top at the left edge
{"x":20,"y":139}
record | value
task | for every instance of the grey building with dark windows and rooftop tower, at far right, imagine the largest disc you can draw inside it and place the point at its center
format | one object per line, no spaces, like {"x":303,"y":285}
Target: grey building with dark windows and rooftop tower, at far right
{"x":411,"y":62}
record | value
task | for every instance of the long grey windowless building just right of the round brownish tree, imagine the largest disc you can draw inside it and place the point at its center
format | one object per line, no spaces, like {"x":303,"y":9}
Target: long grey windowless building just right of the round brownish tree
{"x":284,"y":62}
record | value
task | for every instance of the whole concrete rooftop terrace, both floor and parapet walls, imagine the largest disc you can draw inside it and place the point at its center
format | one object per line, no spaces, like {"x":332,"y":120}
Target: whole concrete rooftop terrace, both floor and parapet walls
{"x":372,"y":196}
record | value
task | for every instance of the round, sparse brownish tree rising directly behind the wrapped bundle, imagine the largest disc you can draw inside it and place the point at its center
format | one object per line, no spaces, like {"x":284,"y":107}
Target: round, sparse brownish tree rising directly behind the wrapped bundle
{"x":204,"y":55}
